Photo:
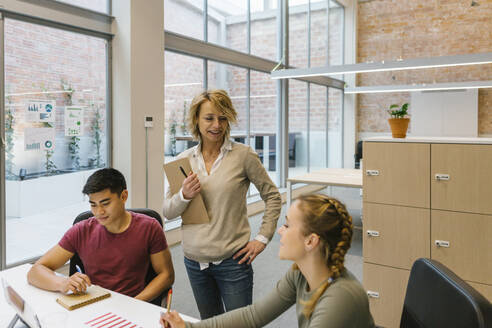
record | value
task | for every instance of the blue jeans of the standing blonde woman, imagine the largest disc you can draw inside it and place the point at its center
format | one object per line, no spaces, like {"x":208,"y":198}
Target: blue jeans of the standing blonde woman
{"x":228,"y":285}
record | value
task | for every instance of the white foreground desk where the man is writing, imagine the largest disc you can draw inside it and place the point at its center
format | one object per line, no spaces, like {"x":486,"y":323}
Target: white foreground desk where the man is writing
{"x":43,"y":302}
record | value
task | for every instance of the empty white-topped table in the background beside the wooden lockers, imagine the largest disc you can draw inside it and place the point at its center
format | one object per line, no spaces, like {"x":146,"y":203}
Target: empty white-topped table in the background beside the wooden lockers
{"x":327,"y":177}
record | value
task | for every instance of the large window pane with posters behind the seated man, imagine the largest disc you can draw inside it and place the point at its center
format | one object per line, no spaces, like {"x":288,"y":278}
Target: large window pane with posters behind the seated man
{"x":56,"y":131}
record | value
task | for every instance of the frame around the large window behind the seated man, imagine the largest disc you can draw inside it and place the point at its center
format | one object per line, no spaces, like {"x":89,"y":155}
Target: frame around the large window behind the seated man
{"x":60,"y":16}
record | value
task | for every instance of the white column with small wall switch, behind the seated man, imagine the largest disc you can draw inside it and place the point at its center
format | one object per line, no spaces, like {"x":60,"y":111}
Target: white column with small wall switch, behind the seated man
{"x":138,"y":91}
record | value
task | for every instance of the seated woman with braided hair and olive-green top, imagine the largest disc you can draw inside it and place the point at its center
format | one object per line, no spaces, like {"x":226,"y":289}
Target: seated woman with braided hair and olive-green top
{"x":316,"y":236}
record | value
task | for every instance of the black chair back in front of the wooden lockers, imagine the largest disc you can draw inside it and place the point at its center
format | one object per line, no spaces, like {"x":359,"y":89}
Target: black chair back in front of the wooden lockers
{"x":436,"y":297}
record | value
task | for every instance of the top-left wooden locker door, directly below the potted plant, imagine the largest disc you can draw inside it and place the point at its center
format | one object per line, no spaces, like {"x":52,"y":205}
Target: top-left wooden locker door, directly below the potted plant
{"x":396,"y":174}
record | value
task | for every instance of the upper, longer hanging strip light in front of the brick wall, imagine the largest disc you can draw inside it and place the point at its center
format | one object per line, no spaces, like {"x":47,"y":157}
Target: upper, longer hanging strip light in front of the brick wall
{"x":416,"y":63}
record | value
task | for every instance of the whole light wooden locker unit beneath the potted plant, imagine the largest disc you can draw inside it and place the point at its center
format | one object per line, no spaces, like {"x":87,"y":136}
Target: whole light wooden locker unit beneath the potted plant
{"x":425,"y":198}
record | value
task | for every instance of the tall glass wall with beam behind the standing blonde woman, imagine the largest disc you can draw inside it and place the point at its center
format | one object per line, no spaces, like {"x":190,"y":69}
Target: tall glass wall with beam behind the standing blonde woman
{"x":244,"y":33}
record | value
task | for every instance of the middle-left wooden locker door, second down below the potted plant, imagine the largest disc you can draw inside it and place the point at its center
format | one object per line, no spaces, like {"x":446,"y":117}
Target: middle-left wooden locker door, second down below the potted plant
{"x":388,"y":227}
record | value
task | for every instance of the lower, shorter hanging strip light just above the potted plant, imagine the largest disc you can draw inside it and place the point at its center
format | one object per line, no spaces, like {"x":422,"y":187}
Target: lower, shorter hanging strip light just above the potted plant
{"x":419,"y":87}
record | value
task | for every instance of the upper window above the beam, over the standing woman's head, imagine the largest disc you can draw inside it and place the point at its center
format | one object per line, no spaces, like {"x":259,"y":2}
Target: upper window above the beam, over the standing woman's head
{"x":227,"y":23}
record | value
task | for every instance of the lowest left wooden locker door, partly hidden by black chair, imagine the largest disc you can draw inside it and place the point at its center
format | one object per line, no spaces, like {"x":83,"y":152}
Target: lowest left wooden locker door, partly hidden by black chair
{"x":386,"y":288}
